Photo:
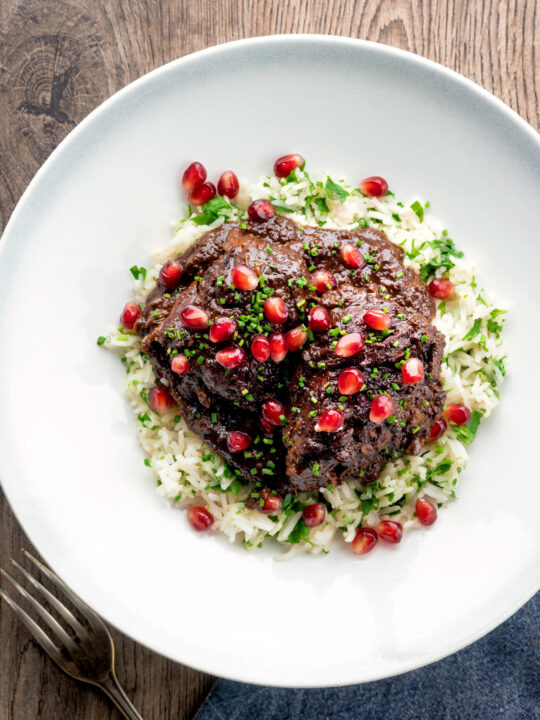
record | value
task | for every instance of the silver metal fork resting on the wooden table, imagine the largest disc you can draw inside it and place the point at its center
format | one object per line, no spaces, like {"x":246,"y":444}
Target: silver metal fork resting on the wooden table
{"x":87,"y":653}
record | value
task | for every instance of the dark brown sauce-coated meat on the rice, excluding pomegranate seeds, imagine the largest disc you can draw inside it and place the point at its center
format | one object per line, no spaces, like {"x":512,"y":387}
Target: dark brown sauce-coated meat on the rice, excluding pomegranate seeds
{"x":295,"y":456}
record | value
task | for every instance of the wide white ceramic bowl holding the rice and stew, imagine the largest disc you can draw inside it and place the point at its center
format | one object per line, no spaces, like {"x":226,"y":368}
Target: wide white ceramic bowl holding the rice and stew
{"x":69,"y":460}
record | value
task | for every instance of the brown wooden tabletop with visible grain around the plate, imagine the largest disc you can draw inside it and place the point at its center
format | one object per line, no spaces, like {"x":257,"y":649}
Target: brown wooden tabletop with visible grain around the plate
{"x":61,"y":58}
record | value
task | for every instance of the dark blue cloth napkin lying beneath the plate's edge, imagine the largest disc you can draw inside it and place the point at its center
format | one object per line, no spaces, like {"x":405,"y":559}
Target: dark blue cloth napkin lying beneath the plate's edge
{"x":496,"y":677}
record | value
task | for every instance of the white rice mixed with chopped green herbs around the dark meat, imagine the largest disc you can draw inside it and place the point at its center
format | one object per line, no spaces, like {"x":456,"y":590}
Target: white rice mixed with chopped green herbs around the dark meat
{"x":188,"y":472}
